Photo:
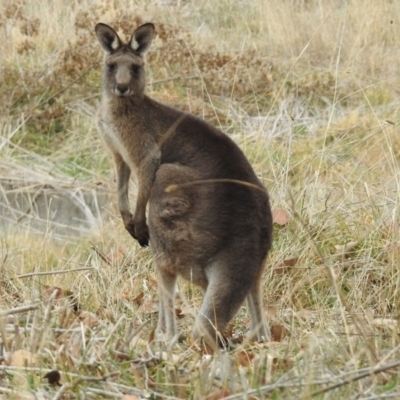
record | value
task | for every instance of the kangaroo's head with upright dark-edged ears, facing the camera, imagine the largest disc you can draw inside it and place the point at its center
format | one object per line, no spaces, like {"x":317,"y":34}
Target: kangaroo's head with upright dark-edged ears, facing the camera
{"x":124,"y":66}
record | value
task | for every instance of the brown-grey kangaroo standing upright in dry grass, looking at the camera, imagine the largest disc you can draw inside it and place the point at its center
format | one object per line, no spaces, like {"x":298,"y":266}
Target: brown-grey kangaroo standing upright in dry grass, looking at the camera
{"x":209,"y":218}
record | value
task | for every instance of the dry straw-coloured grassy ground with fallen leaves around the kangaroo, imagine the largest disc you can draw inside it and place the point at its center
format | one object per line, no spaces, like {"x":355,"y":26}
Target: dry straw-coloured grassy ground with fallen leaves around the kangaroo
{"x":309,"y":90}
